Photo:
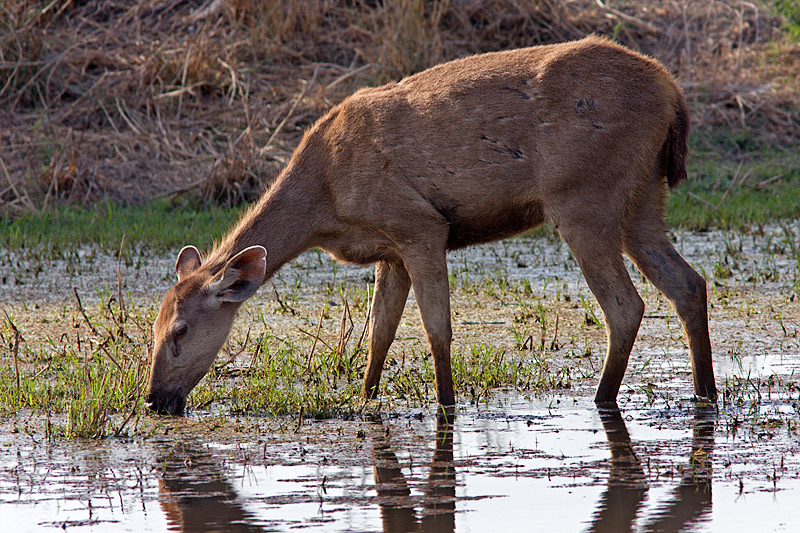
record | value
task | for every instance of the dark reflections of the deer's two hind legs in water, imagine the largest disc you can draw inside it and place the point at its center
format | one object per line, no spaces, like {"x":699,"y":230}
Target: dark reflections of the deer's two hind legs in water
{"x":627,"y":487}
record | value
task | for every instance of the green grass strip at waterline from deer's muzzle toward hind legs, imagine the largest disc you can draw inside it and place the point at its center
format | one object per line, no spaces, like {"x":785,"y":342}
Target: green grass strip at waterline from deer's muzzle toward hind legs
{"x":286,"y":379}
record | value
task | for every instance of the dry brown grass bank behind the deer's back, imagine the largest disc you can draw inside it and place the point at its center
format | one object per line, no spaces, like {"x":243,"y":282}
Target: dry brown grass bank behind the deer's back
{"x":133,"y":100}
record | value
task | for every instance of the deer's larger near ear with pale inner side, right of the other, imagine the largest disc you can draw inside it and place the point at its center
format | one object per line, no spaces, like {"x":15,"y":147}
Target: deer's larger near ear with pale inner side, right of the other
{"x":242,"y":276}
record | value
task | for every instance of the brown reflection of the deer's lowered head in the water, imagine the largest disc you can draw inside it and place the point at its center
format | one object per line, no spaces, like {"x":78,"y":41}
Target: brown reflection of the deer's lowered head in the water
{"x":195,"y":496}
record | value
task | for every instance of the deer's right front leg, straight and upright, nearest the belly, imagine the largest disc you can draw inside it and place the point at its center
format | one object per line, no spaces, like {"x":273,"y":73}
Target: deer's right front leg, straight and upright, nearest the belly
{"x":428,"y":271}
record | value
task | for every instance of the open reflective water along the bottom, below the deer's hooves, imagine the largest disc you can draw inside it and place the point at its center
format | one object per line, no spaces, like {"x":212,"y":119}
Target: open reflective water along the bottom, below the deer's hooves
{"x":555,"y":464}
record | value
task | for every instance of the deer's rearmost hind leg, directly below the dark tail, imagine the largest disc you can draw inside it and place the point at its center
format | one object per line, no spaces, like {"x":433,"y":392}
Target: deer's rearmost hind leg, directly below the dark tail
{"x":651,"y":251}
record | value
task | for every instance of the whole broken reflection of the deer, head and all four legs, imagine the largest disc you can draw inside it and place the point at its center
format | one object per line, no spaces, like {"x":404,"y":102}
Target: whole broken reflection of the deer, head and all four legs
{"x":195,"y":495}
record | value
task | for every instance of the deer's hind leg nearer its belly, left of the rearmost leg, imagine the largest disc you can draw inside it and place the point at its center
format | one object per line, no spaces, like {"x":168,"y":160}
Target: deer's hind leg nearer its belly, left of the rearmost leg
{"x":600,"y":258}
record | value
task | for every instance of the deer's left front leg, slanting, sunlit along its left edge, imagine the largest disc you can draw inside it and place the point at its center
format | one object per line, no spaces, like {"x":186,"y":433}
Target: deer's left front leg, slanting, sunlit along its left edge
{"x":391,"y":291}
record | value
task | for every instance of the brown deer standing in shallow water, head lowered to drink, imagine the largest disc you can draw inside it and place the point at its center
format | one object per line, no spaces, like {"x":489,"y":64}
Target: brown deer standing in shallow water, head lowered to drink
{"x":580,"y":135}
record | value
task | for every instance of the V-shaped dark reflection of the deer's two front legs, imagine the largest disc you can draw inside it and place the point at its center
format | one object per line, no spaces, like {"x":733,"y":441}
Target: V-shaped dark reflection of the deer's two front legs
{"x":398,"y":507}
